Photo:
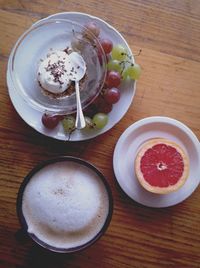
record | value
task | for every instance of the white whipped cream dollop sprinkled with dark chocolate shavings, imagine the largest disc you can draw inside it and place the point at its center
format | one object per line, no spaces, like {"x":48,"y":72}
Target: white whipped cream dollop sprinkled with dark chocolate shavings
{"x":56,"y":72}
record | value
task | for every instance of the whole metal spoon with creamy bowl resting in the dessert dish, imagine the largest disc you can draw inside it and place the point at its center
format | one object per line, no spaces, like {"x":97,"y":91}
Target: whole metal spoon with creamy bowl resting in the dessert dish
{"x":79,"y":69}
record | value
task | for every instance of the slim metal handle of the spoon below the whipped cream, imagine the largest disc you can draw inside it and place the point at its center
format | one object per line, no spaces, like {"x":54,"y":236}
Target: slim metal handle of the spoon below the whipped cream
{"x":80,"y":120}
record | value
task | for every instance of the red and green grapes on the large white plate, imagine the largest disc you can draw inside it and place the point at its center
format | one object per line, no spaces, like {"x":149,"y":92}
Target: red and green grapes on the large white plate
{"x":119,"y":68}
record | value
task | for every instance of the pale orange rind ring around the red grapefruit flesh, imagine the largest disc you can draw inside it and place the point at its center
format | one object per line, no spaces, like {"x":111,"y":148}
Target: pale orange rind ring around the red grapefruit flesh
{"x":156,"y":189}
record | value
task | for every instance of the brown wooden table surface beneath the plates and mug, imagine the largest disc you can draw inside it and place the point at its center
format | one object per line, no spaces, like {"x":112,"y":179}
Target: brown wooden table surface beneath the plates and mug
{"x":169,"y":34}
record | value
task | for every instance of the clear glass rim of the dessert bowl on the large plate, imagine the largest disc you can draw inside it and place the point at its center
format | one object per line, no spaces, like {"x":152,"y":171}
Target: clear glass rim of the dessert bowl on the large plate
{"x":56,"y":108}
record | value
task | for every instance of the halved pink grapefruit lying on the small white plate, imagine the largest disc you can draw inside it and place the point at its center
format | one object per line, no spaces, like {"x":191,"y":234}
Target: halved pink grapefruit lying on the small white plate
{"x":161,"y":166}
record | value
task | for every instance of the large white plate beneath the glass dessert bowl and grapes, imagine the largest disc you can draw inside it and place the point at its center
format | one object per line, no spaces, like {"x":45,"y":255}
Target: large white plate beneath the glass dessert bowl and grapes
{"x":33,"y":117}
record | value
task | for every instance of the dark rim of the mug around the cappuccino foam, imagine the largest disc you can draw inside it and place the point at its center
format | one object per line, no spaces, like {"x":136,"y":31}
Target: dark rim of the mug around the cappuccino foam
{"x":40,"y":166}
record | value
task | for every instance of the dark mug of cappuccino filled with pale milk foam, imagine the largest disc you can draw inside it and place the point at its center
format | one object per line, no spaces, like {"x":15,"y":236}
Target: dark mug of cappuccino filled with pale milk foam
{"x":65,"y":204}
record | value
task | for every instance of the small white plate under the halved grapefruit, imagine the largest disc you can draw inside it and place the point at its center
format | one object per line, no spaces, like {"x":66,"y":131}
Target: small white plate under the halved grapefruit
{"x":125,"y":153}
